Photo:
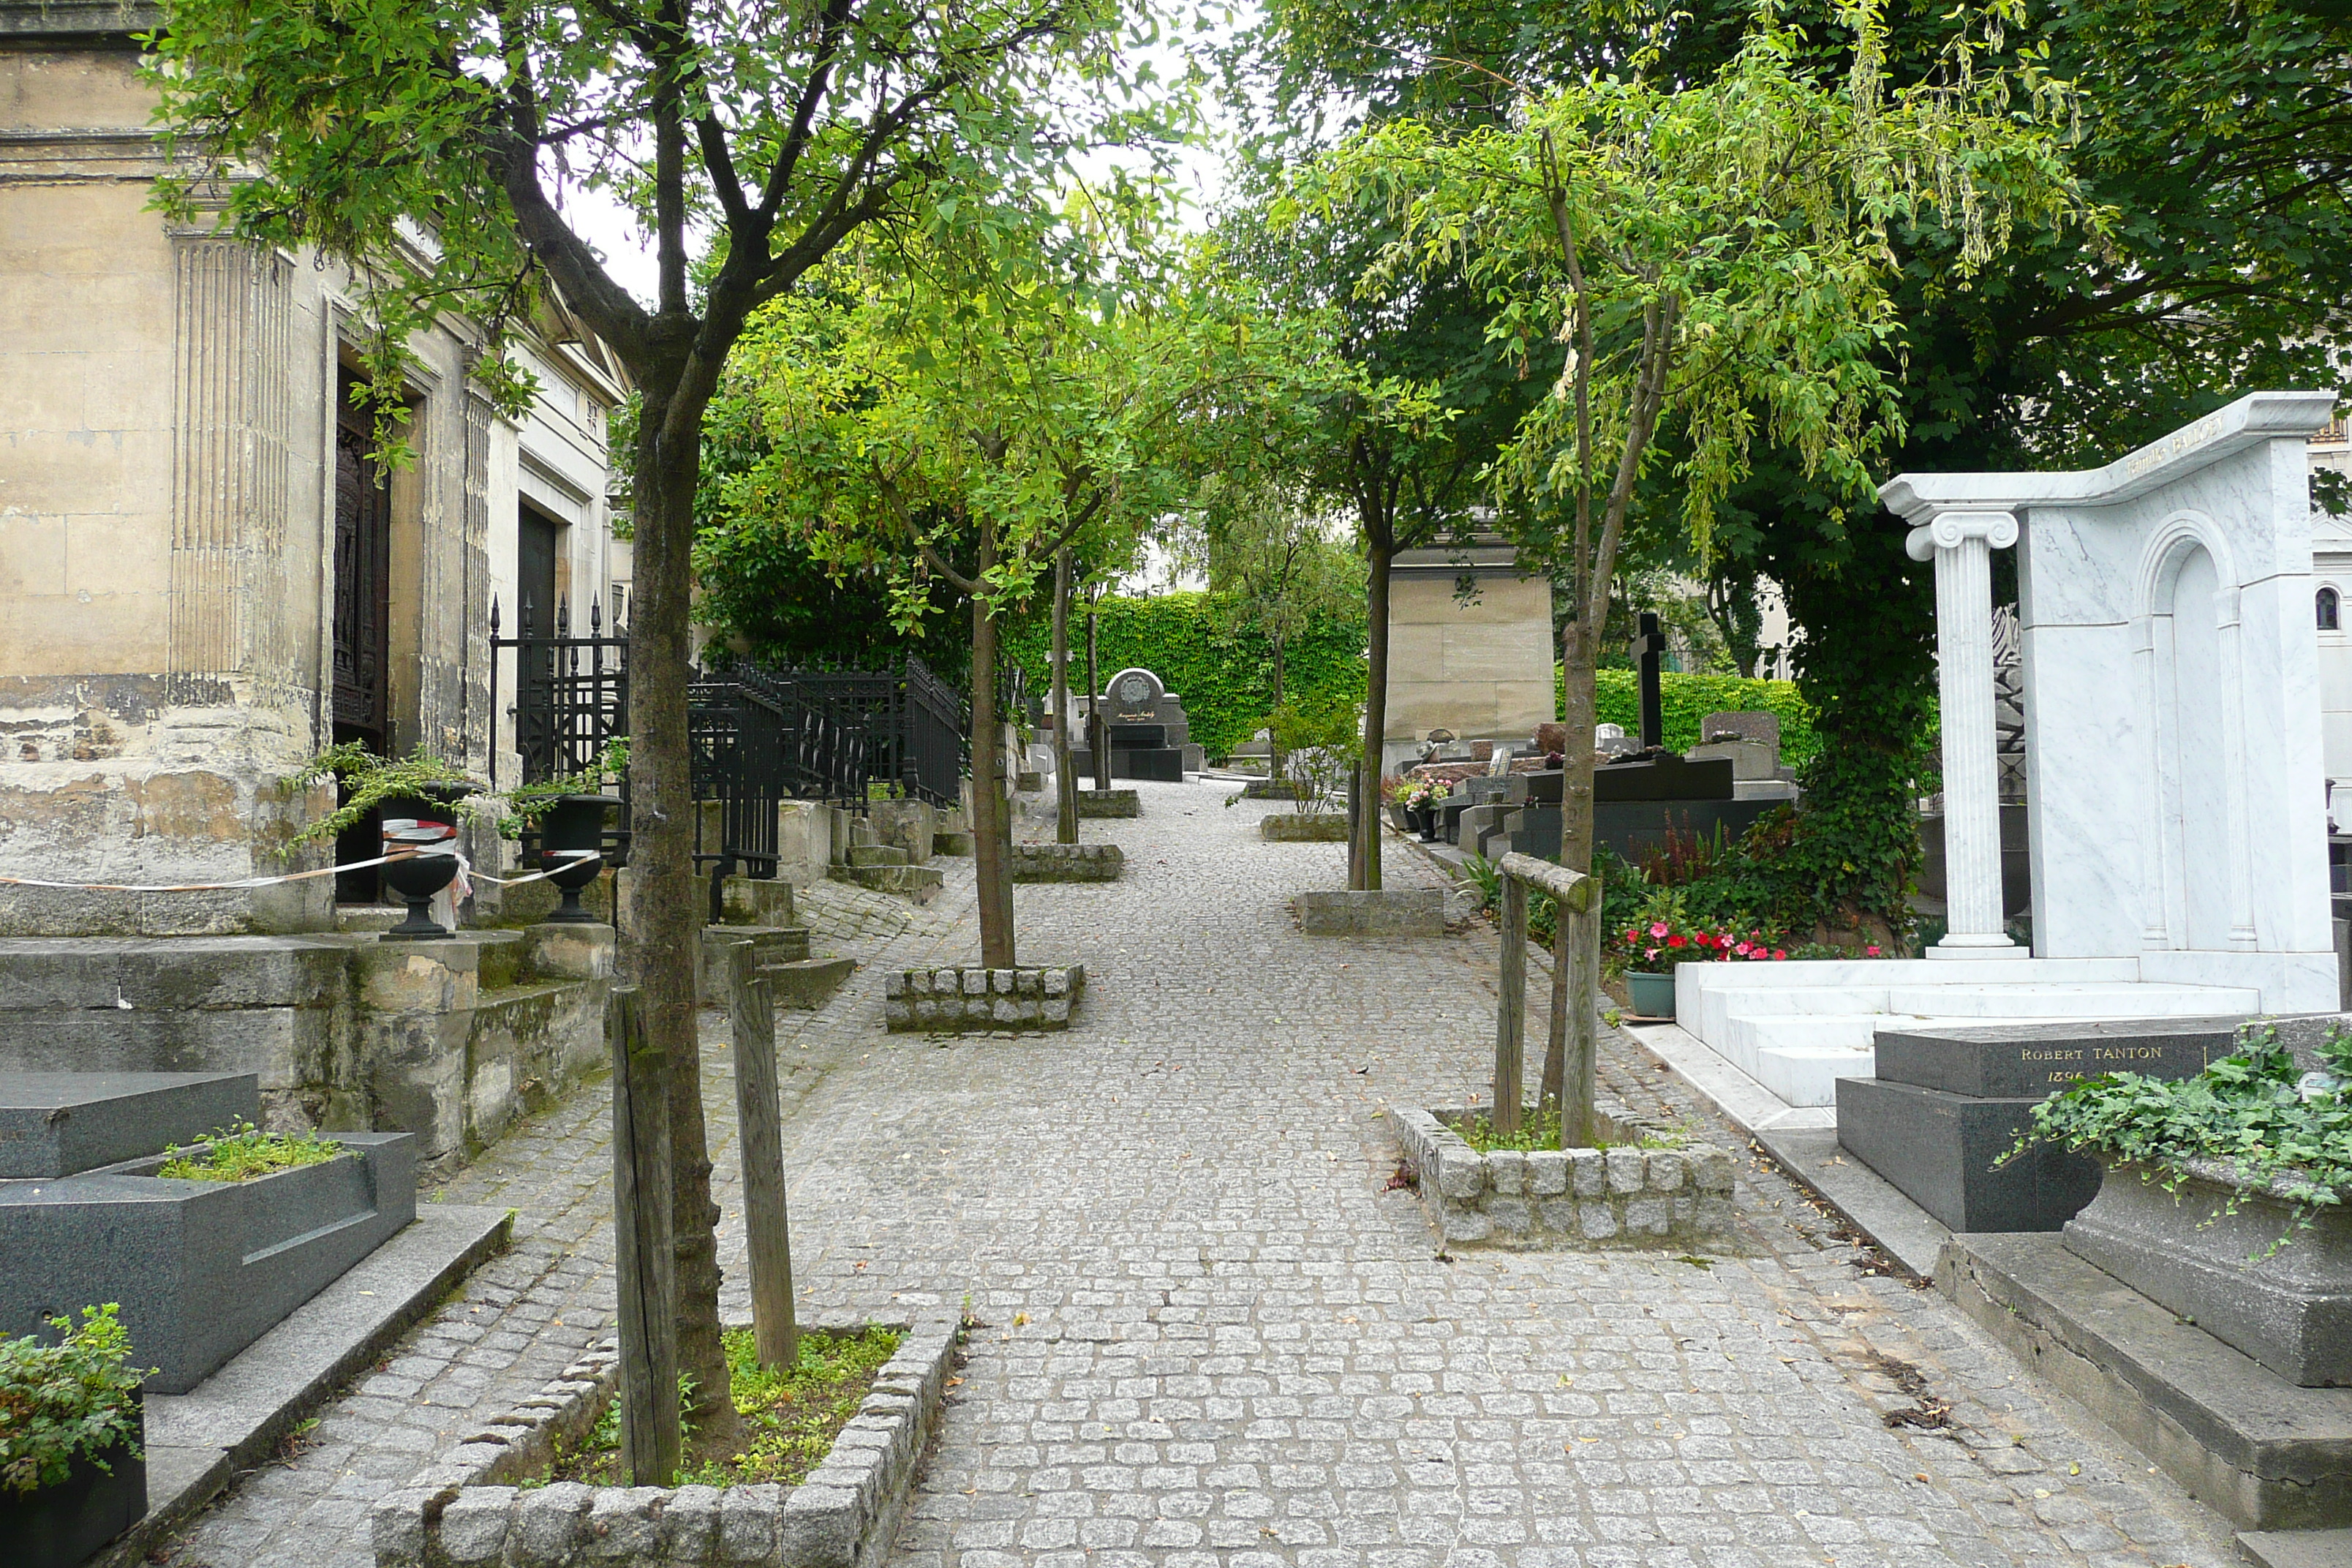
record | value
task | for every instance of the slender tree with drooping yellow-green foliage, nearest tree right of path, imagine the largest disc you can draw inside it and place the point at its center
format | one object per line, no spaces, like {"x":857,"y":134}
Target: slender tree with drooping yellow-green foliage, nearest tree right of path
{"x":1718,"y":255}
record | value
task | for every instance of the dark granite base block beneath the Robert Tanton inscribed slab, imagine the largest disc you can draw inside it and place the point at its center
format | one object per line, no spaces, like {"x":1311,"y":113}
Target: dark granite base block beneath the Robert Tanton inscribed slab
{"x":1944,"y":1153}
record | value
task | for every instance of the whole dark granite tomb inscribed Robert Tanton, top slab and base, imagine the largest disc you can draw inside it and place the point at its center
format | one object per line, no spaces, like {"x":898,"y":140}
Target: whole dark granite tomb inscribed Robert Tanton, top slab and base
{"x":1951,"y":1104}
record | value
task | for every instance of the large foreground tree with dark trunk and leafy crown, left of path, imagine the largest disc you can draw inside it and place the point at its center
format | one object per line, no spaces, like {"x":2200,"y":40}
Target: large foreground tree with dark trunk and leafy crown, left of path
{"x":429,"y":145}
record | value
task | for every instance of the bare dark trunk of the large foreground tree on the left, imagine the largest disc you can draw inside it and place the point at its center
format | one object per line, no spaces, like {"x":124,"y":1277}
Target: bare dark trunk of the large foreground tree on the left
{"x":664,"y":920}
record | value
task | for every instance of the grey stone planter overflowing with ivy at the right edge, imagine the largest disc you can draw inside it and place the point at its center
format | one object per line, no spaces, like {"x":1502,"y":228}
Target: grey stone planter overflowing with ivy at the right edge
{"x":2224,"y":1198}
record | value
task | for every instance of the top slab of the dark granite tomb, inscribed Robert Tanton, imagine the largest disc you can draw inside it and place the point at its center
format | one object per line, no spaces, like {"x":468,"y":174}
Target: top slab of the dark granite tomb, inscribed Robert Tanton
{"x":2040,"y":1059}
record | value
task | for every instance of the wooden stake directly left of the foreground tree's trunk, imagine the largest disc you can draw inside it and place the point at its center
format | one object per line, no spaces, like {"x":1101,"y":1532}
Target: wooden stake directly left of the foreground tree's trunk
{"x":646,"y":1259}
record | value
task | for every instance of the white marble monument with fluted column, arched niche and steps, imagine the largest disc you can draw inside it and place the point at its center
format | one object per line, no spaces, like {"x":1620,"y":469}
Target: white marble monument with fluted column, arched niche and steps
{"x":2177,"y":793}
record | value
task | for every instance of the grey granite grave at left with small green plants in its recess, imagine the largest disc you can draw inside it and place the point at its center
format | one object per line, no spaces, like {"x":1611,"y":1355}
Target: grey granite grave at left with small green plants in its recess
{"x":199,"y":1268}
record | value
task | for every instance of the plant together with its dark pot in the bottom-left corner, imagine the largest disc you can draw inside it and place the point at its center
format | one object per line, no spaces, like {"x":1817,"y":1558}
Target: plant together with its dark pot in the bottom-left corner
{"x":72,"y":1459}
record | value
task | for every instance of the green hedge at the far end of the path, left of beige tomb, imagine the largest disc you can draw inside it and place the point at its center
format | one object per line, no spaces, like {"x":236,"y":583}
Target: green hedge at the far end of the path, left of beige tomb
{"x":1224,"y":678}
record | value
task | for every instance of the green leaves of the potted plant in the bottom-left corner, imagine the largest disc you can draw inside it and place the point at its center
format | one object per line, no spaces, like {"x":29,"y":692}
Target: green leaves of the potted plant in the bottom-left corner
{"x":69,"y":1400}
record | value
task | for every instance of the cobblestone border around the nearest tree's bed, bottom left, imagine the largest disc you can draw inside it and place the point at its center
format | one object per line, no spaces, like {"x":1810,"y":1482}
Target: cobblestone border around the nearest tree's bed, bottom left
{"x":843,"y":1515}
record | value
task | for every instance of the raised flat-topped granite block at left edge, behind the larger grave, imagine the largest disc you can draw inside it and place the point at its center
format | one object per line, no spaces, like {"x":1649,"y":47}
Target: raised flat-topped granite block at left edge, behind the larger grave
{"x":65,"y":1123}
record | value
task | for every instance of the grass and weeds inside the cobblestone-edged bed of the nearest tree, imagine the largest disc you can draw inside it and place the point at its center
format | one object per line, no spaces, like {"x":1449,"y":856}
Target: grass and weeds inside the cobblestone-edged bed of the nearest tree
{"x":789,"y":1416}
